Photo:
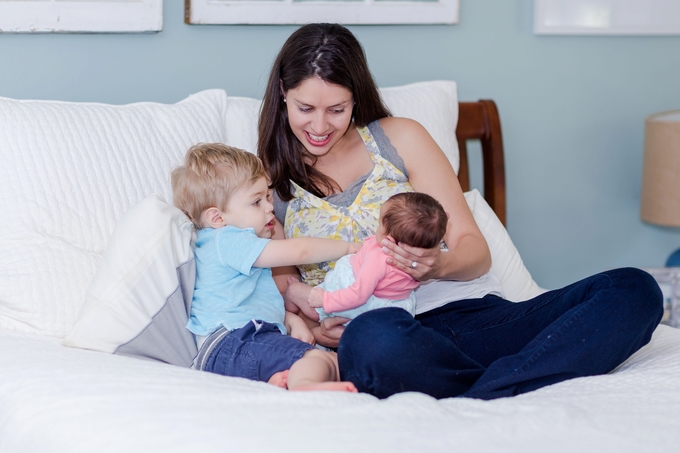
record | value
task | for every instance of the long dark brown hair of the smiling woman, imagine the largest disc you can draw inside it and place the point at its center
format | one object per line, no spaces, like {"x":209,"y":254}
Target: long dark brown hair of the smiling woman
{"x":332,"y":53}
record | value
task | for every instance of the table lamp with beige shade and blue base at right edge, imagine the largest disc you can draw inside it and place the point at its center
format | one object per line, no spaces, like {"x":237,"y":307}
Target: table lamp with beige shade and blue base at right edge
{"x":660,"y":201}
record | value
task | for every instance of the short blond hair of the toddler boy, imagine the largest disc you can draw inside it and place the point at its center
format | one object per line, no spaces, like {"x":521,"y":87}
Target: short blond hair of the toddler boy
{"x":211,"y":173}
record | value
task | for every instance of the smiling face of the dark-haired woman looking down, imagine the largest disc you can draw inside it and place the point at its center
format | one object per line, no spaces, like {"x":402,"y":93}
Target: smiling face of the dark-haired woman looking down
{"x":319,"y":114}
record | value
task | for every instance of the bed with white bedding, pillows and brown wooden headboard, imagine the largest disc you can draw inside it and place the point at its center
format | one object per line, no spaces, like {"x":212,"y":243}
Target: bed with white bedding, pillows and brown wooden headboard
{"x":93,"y":358}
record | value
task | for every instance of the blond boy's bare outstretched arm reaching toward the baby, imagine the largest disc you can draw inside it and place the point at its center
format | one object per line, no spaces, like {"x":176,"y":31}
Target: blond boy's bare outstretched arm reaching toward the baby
{"x":303,"y":251}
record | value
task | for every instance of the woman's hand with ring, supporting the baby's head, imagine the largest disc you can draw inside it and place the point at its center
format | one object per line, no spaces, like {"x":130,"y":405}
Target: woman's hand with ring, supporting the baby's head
{"x":421,"y":264}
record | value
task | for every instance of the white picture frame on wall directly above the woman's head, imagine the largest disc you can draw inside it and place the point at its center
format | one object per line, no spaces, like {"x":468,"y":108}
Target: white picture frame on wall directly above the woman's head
{"x":199,"y":12}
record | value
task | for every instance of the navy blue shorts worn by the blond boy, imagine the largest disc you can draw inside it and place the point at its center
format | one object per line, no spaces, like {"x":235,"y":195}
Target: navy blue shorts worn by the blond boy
{"x":255,"y":351}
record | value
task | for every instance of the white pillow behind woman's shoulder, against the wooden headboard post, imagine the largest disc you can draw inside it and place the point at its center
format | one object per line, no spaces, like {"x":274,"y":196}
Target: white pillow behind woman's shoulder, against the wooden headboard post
{"x":434,"y":105}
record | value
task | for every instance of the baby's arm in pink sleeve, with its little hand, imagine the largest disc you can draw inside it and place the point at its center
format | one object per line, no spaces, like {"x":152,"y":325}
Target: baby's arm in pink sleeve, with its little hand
{"x":373,"y":269}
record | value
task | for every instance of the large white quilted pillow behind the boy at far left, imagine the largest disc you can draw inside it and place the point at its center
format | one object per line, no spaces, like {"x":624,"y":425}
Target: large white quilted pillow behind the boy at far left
{"x":69,"y":171}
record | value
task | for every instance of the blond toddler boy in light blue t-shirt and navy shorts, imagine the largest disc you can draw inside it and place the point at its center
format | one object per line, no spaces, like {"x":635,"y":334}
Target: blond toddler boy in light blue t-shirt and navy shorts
{"x":237,"y":312}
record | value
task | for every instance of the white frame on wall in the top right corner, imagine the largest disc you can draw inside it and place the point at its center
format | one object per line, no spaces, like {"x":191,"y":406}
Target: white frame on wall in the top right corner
{"x":607,"y":17}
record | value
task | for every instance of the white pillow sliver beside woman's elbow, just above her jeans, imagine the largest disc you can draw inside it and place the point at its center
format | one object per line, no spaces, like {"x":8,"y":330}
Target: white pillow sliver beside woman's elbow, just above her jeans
{"x":506,"y":264}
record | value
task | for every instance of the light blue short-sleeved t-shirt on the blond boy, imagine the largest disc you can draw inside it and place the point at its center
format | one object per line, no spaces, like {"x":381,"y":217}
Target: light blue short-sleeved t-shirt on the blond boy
{"x":229,"y":291}
